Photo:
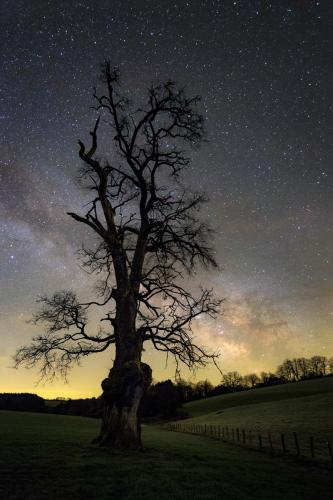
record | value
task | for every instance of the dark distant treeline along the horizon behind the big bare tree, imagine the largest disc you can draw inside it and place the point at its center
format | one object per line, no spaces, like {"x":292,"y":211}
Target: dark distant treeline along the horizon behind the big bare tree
{"x":164,"y":399}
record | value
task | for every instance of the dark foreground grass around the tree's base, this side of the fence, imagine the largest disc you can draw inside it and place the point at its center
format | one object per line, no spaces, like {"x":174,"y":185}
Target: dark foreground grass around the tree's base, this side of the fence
{"x":49,"y":457}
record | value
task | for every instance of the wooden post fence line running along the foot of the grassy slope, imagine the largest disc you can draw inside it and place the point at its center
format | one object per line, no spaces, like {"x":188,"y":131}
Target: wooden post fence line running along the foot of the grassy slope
{"x":318,"y":449}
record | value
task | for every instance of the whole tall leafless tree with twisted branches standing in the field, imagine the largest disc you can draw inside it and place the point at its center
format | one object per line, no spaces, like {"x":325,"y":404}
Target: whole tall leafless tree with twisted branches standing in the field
{"x":149,"y":236}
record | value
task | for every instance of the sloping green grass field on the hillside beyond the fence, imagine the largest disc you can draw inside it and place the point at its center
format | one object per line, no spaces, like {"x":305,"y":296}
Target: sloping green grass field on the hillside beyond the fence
{"x":305,"y":408}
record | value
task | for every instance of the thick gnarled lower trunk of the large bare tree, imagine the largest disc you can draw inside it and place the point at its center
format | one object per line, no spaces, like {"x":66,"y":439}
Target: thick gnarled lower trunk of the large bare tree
{"x":125,"y":385}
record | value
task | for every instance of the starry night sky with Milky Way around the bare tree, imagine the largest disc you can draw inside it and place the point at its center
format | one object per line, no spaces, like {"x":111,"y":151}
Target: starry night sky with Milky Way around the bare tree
{"x":264,"y":71}
